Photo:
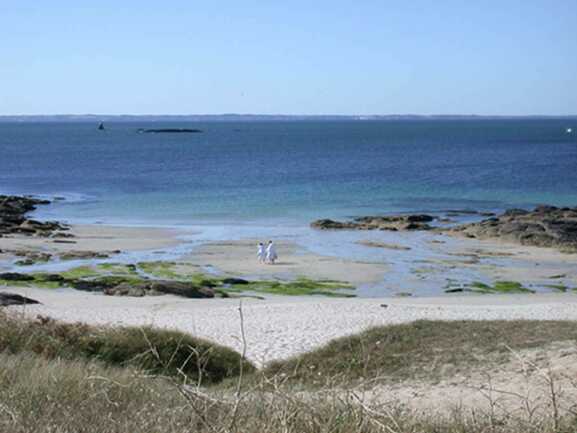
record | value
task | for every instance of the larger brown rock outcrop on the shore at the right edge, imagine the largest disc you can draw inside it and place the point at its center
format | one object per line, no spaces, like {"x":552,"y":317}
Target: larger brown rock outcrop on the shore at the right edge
{"x":545,"y":226}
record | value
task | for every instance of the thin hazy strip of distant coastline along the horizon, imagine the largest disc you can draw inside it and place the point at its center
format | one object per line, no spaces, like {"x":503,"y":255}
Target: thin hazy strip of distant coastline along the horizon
{"x":261,"y":117}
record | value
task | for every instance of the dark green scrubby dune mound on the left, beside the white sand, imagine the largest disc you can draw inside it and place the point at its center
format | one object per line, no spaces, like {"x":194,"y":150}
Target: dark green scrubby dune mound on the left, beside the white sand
{"x":152,"y":350}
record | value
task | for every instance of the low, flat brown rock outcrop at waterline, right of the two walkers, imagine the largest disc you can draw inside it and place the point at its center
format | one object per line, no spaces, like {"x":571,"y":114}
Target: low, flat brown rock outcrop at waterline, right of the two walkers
{"x":392,"y":222}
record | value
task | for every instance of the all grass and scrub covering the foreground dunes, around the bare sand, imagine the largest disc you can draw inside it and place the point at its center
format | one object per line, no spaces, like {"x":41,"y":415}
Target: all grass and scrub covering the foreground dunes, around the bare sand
{"x":65,"y":378}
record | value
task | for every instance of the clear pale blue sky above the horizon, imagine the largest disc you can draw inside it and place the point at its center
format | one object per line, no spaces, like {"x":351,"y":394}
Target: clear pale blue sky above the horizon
{"x":362,"y":57}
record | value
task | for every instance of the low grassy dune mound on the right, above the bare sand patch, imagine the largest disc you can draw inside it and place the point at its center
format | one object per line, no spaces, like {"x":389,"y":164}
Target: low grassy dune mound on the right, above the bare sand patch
{"x":426,"y":350}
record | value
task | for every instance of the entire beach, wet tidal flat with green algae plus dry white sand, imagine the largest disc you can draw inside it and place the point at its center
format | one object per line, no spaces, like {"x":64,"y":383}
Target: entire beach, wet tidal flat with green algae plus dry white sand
{"x":278,"y":327}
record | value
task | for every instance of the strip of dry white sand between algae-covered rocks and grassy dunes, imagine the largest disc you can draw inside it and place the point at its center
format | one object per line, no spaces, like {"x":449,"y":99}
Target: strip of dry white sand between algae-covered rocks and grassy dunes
{"x":281,"y":327}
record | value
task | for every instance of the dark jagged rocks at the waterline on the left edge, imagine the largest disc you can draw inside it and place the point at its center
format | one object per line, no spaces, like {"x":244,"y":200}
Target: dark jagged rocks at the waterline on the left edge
{"x":13,"y":220}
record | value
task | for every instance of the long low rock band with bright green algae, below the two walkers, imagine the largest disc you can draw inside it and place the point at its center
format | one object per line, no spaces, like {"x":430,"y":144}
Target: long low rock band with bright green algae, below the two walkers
{"x":159,"y":278}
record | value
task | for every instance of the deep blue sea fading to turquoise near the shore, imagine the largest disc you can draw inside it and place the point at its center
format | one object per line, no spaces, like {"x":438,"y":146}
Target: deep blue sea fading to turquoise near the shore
{"x":289,"y":172}
